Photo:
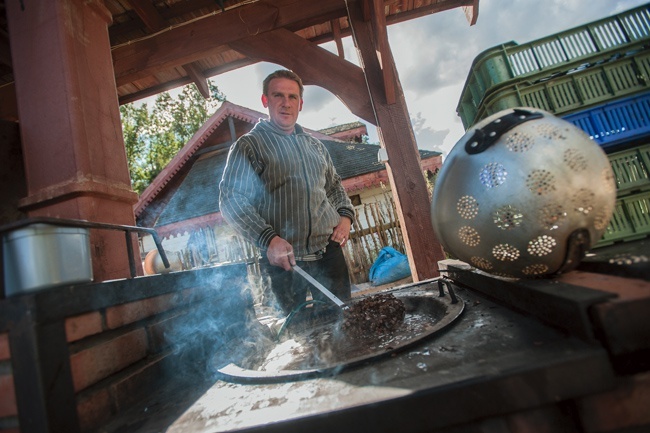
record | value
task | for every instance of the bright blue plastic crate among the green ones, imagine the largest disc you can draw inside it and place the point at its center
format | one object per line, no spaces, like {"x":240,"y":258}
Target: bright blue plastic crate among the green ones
{"x":614,"y":122}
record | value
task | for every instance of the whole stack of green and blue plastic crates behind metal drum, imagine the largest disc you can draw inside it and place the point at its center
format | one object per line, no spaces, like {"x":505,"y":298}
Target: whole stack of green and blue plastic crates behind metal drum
{"x":596,"y":76}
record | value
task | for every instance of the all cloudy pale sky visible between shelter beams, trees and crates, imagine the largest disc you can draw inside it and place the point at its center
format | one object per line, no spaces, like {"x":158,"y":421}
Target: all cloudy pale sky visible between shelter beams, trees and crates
{"x":433,"y":56}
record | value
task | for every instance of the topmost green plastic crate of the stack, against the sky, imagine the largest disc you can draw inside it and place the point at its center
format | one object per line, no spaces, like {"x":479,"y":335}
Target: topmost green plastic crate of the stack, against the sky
{"x":554,"y":55}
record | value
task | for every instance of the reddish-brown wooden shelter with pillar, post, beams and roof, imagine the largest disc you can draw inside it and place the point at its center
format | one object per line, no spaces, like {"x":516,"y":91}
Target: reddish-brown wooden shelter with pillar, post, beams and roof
{"x":66,"y":66}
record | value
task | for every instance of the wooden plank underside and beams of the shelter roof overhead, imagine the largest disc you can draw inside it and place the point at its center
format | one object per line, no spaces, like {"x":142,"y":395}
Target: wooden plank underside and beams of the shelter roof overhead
{"x":158,"y":45}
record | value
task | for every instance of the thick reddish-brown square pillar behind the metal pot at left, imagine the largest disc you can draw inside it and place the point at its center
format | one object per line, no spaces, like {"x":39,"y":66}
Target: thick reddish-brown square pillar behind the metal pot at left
{"x":75,"y":161}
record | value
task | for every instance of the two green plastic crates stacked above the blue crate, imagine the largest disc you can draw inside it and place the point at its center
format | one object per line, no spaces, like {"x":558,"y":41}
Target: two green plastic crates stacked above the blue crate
{"x":561,"y":73}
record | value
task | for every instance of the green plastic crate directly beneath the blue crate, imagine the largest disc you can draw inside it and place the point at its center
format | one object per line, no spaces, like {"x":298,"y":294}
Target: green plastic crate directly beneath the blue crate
{"x":631,"y":169}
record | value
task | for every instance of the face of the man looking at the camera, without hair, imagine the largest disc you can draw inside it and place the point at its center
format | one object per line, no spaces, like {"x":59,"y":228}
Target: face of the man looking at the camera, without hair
{"x":284,"y":103}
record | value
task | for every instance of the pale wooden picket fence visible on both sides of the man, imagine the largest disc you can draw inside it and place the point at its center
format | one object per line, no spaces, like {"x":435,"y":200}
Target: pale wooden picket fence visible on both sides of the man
{"x":375,"y":227}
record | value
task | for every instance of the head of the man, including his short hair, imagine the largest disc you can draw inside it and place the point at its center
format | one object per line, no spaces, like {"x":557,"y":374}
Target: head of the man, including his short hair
{"x":282,"y":95}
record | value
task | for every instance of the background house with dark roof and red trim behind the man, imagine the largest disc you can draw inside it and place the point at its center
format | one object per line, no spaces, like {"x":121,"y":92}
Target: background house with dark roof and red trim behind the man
{"x":182,"y":202}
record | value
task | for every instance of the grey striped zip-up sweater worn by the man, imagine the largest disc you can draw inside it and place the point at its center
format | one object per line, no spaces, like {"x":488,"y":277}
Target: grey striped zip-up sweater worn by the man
{"x":280,"y":184}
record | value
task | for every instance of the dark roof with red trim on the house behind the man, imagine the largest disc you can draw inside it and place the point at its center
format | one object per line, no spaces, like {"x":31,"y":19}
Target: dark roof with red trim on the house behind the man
{"x":188,"y":187}
